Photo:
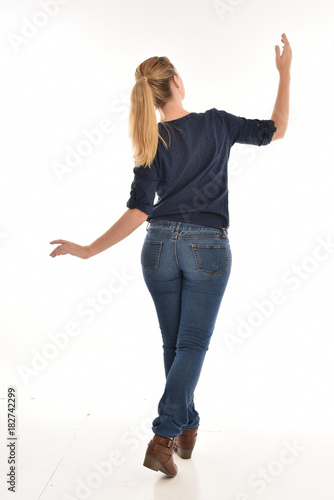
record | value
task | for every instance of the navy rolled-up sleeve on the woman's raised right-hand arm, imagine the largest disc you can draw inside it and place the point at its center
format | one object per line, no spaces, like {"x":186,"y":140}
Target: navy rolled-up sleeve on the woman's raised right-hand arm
{"x":248,"y":131}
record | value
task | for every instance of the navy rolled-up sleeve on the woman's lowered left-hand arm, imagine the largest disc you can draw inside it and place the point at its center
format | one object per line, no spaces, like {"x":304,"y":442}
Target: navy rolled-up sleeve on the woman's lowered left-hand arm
{"x":143,"y":189}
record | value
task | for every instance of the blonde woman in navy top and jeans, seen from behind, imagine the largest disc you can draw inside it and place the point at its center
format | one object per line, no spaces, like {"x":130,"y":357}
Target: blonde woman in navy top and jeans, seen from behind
{"x":186,"y":256}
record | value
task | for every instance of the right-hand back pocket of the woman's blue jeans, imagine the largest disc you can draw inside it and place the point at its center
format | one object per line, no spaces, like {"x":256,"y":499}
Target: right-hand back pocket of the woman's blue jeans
{"x":210,"y":259}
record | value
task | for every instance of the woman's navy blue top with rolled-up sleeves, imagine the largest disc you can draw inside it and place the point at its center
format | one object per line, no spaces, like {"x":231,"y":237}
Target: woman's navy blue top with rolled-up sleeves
{"x":190,"y":177}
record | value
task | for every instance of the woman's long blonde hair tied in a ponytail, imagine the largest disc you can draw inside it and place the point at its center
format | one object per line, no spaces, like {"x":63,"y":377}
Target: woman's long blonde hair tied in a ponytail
{"x":148,"y":94}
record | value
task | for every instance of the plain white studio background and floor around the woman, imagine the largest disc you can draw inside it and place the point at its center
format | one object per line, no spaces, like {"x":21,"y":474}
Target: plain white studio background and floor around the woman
{"x":276,"y":383}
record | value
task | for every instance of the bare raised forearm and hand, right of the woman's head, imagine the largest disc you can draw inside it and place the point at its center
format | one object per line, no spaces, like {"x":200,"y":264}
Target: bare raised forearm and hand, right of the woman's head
{"x":280,"y":114}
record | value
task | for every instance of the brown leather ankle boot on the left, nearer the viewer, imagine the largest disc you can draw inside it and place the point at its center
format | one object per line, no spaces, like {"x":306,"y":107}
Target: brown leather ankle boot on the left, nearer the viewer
{"x":159,"y":455}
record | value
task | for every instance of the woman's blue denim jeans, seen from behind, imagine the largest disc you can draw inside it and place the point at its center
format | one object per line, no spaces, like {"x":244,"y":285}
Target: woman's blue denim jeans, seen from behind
{"x":186,"y":268}
